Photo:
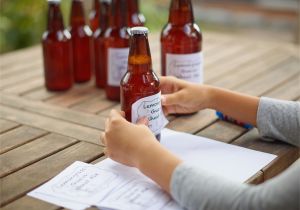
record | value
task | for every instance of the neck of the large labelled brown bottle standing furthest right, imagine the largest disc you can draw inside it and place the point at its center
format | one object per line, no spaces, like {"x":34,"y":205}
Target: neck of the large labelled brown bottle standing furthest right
{"x":181,"y":12}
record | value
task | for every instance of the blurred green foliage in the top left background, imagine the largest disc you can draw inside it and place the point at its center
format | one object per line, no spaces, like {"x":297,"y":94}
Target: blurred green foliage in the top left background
{"x":22,"y":22}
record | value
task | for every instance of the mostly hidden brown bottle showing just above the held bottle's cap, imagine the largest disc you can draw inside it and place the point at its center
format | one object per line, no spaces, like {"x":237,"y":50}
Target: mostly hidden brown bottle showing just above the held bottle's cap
{"x":135,"y":18}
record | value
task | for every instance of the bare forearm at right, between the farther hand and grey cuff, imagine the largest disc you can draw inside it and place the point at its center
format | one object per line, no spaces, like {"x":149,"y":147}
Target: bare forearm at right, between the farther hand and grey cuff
{"x":236,"y":105}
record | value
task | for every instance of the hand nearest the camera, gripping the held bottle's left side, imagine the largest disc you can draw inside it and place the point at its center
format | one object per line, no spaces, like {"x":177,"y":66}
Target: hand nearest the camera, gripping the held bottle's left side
{"x":125,"y":142}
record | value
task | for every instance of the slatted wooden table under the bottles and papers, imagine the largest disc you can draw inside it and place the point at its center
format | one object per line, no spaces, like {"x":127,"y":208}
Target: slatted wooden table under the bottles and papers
{"x":43,"y":132}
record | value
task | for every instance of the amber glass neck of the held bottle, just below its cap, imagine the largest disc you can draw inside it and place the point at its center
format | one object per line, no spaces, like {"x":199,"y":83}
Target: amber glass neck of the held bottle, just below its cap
{"x":139,"y":59}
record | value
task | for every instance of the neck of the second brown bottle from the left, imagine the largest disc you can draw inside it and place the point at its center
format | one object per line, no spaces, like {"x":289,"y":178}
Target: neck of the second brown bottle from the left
{"x":77,"y":14}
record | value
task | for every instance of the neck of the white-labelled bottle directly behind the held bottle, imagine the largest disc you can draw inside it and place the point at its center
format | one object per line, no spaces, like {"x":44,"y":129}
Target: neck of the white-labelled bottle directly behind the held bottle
{"x":118,"y":14}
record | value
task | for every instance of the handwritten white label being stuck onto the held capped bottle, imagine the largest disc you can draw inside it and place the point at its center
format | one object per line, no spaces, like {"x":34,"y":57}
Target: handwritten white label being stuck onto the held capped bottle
{"x":151,"y":108}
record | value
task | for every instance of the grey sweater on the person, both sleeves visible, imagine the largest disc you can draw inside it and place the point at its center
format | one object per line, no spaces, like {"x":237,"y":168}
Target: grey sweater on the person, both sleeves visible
{"x":194,"y":188}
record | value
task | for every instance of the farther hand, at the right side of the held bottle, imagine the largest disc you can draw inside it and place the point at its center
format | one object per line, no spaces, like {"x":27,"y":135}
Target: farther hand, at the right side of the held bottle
{"x":181,"y":97}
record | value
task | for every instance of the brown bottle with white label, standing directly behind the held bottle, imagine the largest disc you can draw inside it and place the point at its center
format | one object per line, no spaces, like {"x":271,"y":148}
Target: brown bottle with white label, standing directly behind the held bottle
{"x":116,"y":49}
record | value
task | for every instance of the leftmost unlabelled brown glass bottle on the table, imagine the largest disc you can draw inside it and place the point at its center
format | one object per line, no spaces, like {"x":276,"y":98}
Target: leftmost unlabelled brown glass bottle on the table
{"x":57,"y":51}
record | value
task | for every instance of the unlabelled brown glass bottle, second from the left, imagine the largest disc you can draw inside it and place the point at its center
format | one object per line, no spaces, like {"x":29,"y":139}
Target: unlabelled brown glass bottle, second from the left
{"x":82,"y":42}
